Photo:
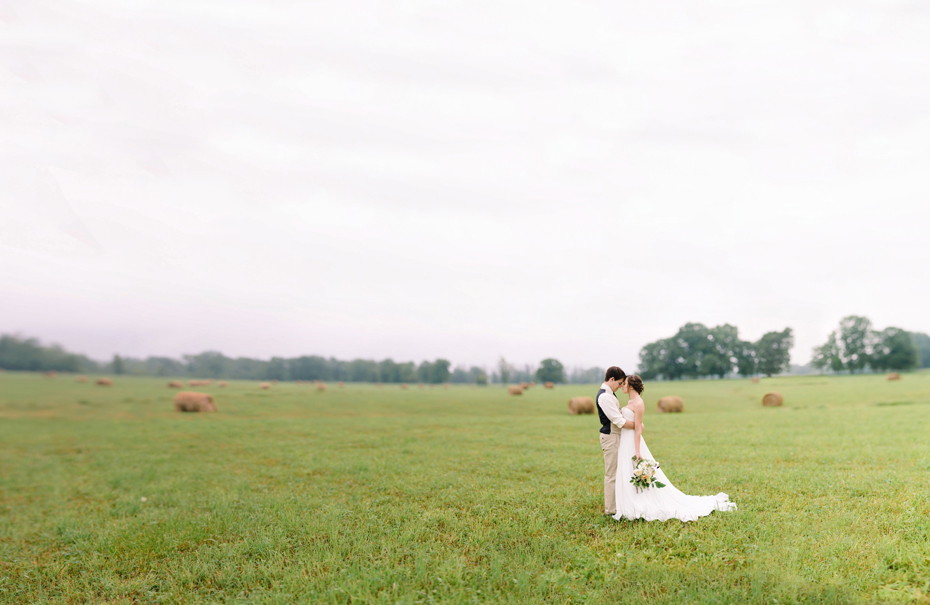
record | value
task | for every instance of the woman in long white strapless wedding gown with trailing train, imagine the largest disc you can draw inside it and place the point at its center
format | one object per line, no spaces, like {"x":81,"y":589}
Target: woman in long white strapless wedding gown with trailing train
{"x":653,"y":503}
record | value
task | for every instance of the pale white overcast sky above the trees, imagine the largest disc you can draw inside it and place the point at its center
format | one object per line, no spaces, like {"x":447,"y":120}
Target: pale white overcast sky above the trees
{"x":461,"y":179}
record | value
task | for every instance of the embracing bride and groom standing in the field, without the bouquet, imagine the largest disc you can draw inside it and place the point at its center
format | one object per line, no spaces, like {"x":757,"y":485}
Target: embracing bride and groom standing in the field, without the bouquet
{"x":621,"y":441}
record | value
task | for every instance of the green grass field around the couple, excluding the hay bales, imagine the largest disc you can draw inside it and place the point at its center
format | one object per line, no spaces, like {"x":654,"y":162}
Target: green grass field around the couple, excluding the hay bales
{"x":465,"y":495}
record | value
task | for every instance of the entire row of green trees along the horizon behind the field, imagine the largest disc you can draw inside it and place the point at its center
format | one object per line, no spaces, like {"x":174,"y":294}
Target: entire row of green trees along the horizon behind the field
{"x":694,"y":351}
